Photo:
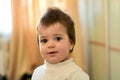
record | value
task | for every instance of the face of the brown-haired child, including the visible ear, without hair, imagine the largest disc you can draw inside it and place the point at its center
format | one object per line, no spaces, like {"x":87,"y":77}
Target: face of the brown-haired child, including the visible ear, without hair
{"x":55,"y":44}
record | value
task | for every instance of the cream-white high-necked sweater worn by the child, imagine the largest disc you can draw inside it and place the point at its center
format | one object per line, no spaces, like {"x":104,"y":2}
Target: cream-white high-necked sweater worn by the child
{"x":66,"y":70}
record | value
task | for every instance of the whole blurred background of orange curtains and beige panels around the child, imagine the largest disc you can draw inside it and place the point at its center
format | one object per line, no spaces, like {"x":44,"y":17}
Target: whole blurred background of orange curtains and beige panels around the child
{"x":97,"y":48}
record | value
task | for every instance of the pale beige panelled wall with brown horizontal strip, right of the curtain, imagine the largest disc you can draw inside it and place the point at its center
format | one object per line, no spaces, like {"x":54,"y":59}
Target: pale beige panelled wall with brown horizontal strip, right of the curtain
{"x":103,"y":19}
